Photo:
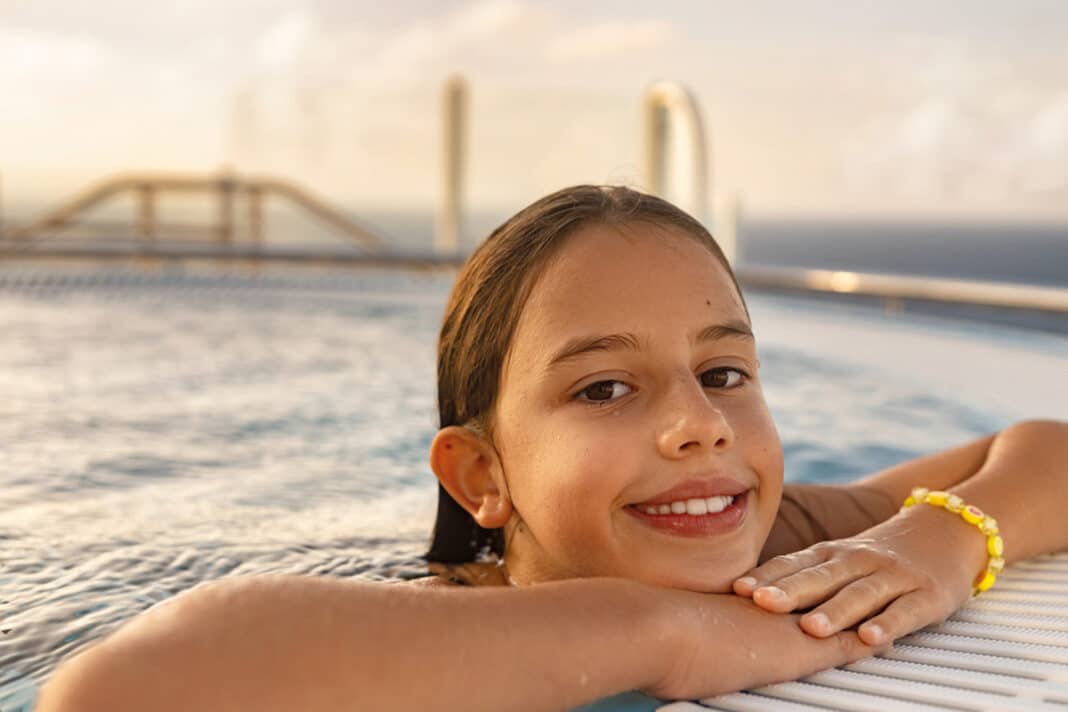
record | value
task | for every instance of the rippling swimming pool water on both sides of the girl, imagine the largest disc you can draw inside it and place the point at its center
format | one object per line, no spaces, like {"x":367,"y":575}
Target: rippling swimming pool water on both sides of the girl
{"x":165,"y":429}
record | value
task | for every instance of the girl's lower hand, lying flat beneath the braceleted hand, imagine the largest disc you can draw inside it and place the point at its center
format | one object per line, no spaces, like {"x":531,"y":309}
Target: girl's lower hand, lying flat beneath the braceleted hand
{"x":717,"y":644}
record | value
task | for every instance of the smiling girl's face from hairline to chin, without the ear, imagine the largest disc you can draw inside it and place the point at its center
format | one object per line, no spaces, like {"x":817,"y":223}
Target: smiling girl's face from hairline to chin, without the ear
{"x":631,"y":424}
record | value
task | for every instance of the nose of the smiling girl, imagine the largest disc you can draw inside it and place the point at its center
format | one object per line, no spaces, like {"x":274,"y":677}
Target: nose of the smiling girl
{"x":692,"y":423}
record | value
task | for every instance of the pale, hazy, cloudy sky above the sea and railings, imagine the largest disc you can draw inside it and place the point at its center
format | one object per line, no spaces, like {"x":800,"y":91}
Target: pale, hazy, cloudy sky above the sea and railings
{"x":931,"y":109}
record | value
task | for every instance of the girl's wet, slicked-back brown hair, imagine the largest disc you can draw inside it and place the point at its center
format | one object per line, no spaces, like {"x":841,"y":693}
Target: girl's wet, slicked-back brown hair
{"x":484,"y":309}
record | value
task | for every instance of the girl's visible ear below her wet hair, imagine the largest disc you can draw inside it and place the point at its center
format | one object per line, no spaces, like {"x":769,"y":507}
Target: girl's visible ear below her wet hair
{"x":468,"y":468}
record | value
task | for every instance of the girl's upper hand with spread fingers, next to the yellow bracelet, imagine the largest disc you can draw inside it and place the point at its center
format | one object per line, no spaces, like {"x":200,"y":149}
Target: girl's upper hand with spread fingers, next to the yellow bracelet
{"x":905,"y":574}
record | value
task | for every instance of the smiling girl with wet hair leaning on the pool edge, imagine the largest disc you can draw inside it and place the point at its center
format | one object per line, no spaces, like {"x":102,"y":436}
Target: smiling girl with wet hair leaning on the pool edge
{"x":609,"y":479}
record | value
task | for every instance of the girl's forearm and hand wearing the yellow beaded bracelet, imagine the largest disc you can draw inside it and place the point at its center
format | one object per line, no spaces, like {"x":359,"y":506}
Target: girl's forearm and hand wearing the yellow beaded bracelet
{"x":920,"y":564}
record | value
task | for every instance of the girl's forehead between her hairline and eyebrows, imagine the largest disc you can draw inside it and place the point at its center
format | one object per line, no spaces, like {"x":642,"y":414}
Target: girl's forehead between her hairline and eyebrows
{"x":621,"y":279}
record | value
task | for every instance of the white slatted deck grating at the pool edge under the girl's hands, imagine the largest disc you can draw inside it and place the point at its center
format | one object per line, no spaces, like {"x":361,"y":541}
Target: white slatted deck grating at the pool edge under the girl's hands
{"x":1006,"y":651}
